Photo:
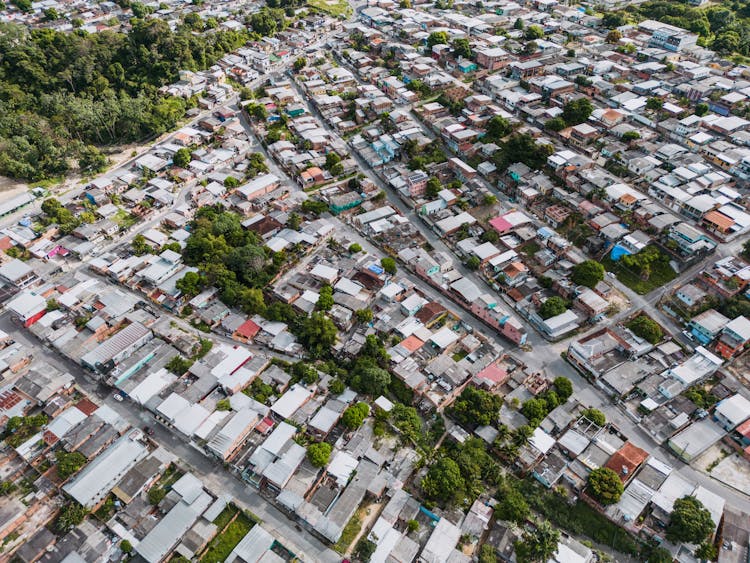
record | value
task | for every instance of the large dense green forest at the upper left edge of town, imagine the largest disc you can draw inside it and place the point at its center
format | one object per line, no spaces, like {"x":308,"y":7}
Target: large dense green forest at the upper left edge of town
{"x":64,"y":95}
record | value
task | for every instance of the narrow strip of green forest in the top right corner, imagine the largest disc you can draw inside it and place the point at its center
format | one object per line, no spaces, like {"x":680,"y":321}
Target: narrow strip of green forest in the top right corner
{"x":722,"y":26}
